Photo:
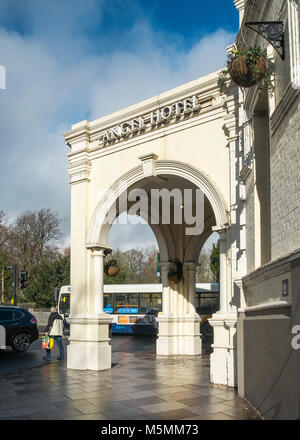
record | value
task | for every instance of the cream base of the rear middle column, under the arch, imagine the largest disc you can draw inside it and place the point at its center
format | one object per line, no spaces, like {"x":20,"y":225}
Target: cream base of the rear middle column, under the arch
{"x":179,"y":335}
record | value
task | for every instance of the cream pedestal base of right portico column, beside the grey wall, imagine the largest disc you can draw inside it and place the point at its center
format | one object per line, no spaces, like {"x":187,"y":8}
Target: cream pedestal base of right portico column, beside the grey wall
{"x":223,"y":362}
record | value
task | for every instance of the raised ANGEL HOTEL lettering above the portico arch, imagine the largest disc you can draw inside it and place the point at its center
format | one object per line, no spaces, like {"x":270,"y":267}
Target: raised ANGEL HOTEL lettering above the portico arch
{"x":159,"y":116}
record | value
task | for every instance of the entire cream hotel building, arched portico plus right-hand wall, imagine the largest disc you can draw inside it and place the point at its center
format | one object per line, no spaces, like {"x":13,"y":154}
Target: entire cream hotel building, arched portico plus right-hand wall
{"x":240,"y":148}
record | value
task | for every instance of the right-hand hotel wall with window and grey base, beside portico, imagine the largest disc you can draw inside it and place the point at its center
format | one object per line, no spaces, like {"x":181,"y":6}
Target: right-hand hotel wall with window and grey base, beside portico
{"x":269,"y":128}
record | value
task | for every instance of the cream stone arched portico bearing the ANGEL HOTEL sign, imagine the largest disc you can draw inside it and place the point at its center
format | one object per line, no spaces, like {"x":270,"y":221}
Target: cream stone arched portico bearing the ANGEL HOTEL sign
{"x":138,"y":147}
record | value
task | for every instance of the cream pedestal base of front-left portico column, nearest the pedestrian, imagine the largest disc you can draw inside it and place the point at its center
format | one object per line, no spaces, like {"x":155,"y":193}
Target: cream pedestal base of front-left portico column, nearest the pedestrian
{"x":89,"y":347}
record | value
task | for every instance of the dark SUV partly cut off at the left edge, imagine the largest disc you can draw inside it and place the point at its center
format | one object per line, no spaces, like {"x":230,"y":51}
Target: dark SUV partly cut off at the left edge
{"x":20,"y":327}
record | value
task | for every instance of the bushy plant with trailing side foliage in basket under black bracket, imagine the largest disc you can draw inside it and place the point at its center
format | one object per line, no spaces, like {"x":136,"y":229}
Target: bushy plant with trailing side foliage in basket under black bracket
{"x":248,"y":68}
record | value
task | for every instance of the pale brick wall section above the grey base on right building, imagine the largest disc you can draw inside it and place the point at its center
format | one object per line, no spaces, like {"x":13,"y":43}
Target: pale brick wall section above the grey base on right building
{"x":285,"y":184}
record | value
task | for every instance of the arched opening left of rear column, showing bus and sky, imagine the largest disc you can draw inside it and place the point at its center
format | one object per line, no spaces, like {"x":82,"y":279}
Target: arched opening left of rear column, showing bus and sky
{"x":134,"y":296}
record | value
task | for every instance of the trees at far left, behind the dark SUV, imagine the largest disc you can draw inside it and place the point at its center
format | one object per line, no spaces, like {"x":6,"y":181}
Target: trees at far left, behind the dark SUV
{"x":30,"y":242}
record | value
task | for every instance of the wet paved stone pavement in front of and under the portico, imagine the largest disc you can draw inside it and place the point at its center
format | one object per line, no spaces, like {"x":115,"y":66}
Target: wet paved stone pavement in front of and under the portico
{"x":139,"y":386}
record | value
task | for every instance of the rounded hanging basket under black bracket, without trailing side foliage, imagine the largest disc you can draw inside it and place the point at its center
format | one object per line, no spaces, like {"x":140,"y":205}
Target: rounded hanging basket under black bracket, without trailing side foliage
{"x":245,"y":74}
